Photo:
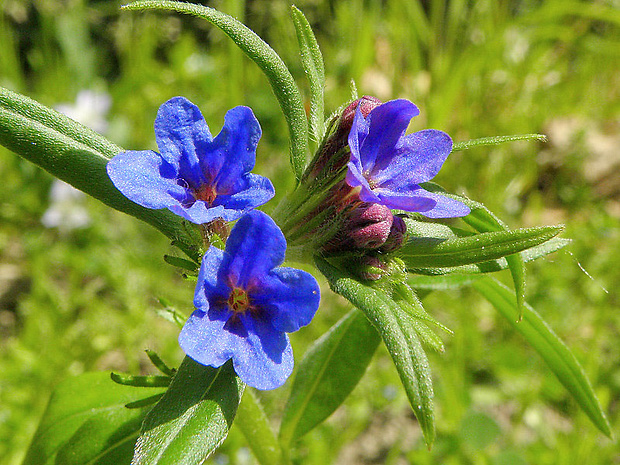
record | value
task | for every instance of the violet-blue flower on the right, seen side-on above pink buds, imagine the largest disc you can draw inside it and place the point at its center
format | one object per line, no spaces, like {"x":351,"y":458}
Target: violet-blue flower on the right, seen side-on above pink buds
{"x":387,"y":165}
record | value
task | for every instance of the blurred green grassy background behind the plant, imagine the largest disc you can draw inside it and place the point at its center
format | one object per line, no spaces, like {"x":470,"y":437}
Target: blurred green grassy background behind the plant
{"x":74,"y":299}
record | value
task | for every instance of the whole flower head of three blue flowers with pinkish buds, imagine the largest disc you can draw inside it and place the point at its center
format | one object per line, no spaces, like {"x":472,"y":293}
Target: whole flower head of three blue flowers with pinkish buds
{"x":245,"y":302}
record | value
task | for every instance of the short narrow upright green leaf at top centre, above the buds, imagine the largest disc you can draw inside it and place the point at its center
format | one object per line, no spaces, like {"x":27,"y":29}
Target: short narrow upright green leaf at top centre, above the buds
{"x":312,"y":61}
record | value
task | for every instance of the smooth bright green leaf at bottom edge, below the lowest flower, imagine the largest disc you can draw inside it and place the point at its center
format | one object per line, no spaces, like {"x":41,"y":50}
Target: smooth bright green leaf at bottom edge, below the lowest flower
{"x":254,"y":425}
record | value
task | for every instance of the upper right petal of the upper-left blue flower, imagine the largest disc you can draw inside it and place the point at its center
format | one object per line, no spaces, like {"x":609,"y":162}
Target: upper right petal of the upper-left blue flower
{"x":233,"y":151}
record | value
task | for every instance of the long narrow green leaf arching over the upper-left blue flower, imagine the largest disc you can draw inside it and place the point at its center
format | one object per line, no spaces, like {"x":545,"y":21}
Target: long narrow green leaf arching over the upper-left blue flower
{"x":280,"y":78}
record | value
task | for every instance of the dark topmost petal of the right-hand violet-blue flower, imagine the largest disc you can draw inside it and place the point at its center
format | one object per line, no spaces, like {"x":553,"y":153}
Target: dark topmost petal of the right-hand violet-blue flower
{"x":387,"y":124}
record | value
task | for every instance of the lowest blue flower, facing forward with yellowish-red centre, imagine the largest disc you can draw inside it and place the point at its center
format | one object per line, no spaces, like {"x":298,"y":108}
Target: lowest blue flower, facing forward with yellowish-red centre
{"x":245,"y":305}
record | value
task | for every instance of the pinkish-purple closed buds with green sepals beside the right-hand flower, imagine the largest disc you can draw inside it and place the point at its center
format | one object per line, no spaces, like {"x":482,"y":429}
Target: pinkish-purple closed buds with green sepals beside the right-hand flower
{"x":325,"y":214}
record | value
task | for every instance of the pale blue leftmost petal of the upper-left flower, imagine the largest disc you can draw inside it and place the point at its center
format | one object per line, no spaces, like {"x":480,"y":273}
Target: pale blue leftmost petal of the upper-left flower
{"x":145,"y":178}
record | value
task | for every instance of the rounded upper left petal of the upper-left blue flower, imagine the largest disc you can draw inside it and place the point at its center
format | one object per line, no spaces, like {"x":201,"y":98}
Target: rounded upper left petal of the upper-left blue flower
{"x":182,"y":135}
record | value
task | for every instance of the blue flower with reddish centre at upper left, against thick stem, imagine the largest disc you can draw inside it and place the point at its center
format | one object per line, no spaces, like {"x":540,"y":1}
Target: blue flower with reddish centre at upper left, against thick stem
{"x":196,"y":176}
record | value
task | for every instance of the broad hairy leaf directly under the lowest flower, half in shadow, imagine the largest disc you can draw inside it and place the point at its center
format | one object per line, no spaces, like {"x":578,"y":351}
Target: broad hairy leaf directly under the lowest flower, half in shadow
{"x":193,"y":418}
